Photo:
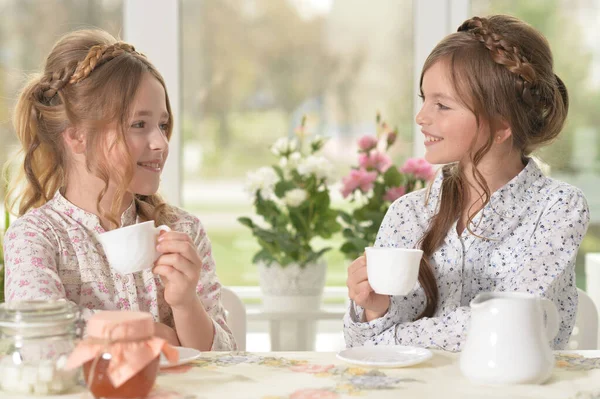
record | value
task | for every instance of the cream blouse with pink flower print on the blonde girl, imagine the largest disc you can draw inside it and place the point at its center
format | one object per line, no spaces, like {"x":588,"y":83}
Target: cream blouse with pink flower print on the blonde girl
{"x":52,"y":252}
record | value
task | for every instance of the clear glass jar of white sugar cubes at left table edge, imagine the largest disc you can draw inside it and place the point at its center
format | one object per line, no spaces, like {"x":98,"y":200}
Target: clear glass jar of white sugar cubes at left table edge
{"x":36,"y":338}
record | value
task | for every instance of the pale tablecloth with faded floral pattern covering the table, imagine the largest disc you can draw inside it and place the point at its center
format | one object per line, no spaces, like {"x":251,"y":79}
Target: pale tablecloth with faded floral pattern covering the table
{"x":319,"y":375}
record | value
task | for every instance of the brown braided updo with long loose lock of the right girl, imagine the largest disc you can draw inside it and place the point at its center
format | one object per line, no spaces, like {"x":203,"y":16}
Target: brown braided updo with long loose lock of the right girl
{"x":502,"y":70}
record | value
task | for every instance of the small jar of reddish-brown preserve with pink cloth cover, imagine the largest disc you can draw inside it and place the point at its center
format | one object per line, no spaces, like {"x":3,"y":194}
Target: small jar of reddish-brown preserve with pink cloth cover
{"x":120,"y":354}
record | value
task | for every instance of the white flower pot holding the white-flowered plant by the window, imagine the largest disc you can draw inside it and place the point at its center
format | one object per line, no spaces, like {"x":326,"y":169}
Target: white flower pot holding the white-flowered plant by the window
{"x":292,"y":290}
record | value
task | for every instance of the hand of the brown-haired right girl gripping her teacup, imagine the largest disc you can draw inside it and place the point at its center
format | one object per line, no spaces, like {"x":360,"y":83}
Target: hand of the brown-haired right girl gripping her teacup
{"x":360,"y":291}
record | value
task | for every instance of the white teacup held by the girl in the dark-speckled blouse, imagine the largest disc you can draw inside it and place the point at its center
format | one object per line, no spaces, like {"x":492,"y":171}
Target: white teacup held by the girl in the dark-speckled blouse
{"x":393,"y":271}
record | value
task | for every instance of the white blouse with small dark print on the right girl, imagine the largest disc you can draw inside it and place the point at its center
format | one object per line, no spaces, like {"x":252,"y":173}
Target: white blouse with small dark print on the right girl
{"x":531,"y":228}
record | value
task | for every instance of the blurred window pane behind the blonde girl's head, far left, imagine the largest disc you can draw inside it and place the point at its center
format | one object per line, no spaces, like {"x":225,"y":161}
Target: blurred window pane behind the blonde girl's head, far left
{"x":28,"y":30}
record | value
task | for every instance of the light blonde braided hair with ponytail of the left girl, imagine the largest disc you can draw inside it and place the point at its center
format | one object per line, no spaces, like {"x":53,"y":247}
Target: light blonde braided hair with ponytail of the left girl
{"x":88,"y":82}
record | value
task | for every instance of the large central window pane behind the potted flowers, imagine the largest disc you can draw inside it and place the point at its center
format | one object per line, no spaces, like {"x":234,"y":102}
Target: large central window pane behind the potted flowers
{"x":253,"y":68}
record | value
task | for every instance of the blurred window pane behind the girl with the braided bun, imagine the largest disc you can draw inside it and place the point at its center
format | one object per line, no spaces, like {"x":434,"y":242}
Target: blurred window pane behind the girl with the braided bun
{"x":571,"y":27}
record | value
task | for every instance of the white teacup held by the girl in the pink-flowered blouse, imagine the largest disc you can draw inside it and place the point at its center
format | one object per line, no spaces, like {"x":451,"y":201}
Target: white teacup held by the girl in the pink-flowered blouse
{"x":133,"y":248}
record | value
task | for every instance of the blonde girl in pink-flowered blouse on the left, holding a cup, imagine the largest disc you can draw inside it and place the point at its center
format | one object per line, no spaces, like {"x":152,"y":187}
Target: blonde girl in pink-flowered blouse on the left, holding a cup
{"x":95,"y":128}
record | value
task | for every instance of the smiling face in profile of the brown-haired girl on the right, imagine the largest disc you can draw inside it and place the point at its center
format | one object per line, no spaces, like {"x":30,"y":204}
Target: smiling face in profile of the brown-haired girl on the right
{"x":449,"y":127}
